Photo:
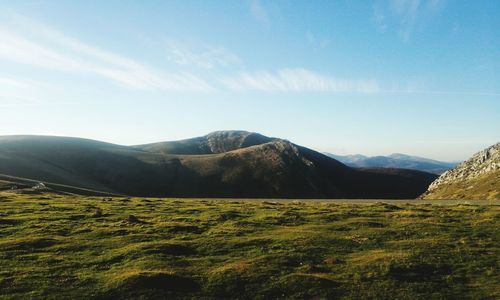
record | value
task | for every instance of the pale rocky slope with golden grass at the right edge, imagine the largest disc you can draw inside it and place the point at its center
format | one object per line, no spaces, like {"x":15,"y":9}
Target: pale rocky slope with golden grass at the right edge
{"x":474,"y":179}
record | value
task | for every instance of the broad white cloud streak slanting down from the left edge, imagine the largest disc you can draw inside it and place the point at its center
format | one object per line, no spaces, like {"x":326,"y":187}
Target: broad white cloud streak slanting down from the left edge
{"x":40,"y":46}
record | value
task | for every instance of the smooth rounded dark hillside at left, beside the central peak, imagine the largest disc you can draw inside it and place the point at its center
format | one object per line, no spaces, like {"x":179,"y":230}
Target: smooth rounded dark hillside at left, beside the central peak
{"x":83,"y":163}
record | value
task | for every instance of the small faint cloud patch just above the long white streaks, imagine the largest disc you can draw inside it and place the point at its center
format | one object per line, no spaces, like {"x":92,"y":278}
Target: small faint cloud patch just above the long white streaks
{"x":207,"y":57}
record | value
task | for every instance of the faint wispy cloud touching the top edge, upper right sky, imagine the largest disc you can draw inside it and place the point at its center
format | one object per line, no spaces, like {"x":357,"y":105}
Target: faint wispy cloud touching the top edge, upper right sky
{"x":405,"y":15}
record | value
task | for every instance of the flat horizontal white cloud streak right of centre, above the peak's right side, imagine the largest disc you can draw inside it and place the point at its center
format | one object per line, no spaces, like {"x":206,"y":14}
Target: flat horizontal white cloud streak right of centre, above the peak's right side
{"x":297,"y":80}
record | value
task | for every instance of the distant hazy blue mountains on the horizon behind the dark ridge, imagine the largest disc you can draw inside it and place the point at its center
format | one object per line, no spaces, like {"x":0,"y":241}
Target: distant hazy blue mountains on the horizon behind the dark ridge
{"x":395,"y":160}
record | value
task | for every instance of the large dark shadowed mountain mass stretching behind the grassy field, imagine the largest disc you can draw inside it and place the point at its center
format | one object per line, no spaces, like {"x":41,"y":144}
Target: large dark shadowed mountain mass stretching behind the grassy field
{"x":221,"y":164}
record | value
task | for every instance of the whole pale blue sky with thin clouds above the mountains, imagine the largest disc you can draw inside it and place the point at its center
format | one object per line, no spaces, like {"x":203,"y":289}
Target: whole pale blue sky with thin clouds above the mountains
{"x":420,"y":77}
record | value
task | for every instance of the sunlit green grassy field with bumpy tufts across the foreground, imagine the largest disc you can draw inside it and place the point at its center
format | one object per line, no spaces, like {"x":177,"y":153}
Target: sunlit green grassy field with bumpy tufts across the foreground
{"x":75,"y":247}
